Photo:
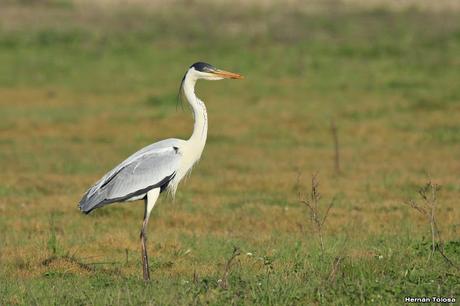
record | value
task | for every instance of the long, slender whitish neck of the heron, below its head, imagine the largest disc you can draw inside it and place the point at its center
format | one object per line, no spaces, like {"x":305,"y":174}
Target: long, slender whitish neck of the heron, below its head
{"x":200,"y":128}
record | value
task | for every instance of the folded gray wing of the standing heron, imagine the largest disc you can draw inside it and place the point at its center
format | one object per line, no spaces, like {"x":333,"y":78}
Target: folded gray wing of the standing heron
{"x":151,"y":167}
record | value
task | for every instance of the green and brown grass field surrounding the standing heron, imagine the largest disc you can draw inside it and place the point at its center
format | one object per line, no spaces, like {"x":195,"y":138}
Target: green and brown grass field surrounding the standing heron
{"x":82,"y":88}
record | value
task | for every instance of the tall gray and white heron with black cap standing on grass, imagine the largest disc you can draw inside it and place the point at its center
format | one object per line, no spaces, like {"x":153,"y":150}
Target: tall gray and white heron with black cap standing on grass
{"x":160,"y":166}
